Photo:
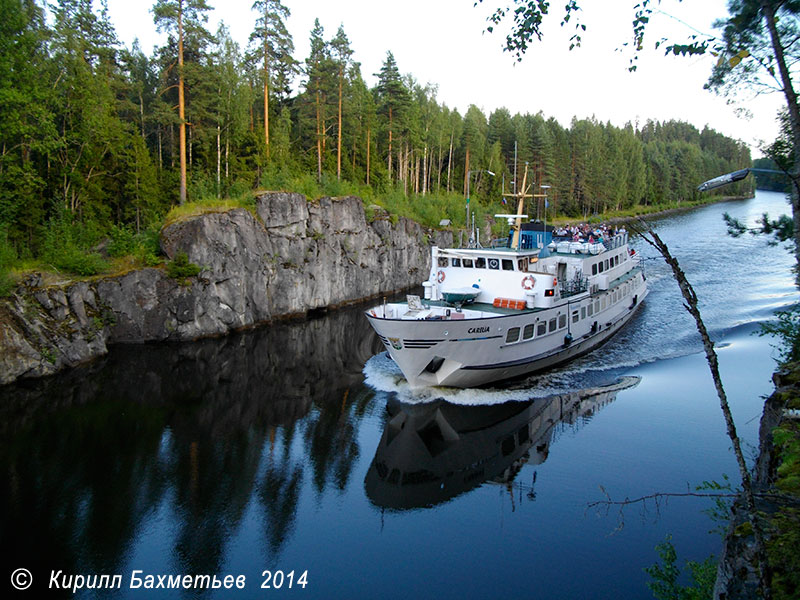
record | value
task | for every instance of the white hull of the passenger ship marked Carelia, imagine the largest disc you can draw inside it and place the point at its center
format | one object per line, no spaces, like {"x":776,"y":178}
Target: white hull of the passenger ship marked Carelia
{"x":475,"y":350}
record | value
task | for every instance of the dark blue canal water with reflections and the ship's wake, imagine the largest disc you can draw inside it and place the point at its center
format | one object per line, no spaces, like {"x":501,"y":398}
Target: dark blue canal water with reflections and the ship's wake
{"x":297,"y":448}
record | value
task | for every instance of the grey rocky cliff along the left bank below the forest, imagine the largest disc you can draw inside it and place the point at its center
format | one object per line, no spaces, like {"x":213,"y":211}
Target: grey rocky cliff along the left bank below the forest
{"x":294,"y":256}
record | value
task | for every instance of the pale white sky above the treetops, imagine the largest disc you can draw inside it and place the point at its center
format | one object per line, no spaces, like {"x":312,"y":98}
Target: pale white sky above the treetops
{"x":445,"y":43}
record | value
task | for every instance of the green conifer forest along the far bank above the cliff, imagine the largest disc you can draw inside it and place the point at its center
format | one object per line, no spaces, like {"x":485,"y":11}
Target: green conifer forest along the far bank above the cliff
{"x":90,"y":131}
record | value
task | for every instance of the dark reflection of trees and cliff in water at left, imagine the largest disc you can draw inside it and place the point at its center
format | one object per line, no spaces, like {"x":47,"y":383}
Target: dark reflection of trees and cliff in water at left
{"x":90,"y":456}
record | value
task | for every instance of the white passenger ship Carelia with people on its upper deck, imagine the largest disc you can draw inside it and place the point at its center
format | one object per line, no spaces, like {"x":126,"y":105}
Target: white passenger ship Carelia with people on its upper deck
{"x":490,"y":314}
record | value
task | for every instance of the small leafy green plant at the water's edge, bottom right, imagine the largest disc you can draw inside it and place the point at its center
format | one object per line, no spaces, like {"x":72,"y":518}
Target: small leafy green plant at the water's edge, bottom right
{"x":665,"y":585}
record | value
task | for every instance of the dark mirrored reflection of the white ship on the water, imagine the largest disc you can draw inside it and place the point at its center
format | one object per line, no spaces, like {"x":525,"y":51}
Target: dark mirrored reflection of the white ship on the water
{"x":431,"y":453}
